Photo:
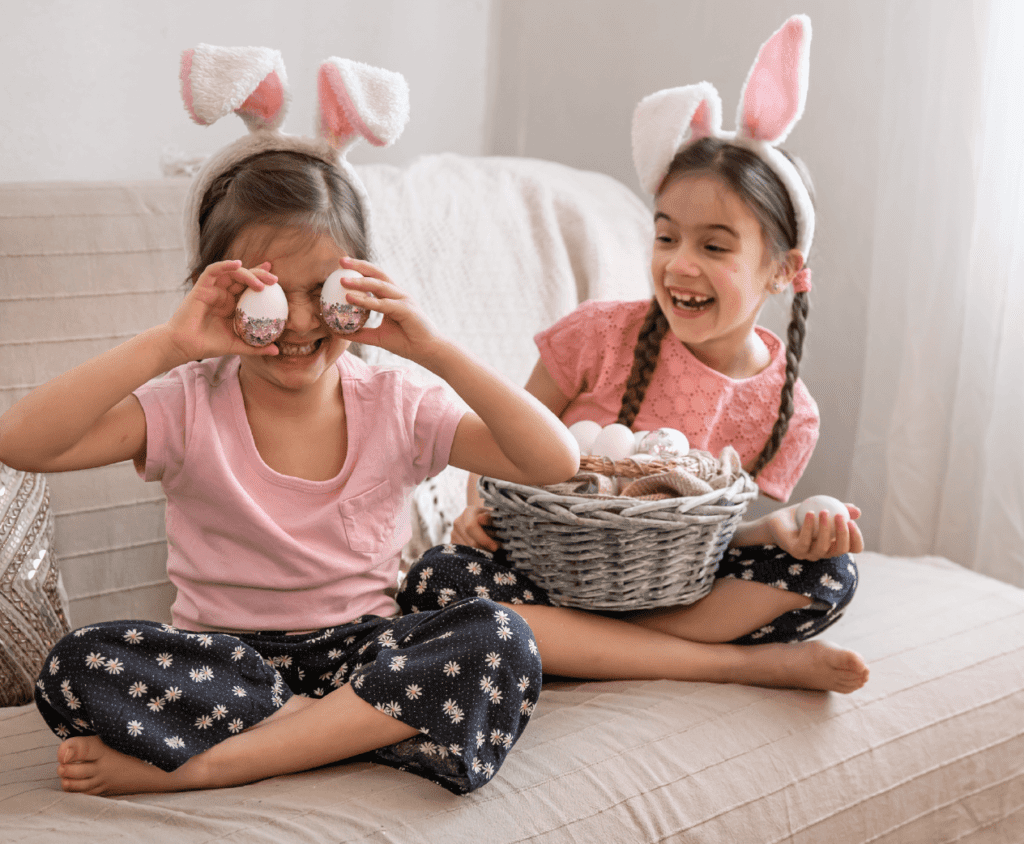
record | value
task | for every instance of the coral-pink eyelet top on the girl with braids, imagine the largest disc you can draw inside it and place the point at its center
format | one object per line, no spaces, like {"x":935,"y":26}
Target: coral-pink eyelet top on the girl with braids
{"x":589,"y":354}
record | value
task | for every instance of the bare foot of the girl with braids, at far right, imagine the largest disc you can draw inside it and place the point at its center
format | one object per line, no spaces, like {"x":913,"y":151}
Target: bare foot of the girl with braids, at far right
{"x":815,"y":665}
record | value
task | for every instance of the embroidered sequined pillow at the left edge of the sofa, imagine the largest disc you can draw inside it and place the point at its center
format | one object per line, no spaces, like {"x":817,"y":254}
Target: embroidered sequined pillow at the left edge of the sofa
{"x":33,"y":603}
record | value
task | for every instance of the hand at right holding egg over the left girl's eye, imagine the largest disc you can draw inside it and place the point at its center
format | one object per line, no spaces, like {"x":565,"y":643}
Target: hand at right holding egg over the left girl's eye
{"x":405,"y":330}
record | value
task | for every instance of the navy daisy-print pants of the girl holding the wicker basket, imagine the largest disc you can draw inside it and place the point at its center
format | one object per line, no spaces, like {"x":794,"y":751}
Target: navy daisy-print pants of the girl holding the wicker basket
{"x":450,"y":573}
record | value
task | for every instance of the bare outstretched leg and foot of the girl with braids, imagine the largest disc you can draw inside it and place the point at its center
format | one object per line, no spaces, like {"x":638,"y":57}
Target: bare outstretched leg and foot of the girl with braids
{"x":574,"y":644}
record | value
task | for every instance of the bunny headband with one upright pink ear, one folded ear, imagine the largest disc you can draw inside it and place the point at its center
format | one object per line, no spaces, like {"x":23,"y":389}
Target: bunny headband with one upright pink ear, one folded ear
{"x":771,"y":104}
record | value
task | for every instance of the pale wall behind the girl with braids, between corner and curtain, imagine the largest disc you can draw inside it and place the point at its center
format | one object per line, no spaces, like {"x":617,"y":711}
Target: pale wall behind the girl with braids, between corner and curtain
{"x":572,"y":73}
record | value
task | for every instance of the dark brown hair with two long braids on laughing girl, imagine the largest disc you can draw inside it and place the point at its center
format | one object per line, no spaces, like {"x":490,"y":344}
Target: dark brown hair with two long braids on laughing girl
{"x":764,"y":194}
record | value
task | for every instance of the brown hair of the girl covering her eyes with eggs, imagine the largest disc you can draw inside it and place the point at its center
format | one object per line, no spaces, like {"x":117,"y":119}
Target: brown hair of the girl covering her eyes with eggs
{"x":281,"y":189}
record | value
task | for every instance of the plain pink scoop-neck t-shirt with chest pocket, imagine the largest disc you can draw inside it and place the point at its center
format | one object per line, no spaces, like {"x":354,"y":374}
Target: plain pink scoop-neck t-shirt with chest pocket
{"x":252,"y":550}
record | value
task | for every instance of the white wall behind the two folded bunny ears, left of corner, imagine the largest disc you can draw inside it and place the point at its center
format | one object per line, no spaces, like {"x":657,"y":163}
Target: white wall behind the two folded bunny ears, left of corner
{"x":92,"y":89}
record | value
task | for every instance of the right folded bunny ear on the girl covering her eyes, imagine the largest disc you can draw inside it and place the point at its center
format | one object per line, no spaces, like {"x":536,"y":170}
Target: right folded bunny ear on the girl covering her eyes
{"x":359,"y":101}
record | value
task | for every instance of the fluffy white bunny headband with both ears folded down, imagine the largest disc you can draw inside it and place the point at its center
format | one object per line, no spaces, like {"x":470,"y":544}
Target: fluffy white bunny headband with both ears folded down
{"x":356,"y":102}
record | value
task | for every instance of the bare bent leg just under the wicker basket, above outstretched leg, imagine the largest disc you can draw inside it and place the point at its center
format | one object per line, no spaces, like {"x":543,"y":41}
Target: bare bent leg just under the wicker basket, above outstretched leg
{"x":733,"y":609}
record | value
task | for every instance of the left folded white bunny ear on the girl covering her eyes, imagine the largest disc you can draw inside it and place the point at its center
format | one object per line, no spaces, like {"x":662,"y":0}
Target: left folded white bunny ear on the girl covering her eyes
{"x":250,"y":81}
